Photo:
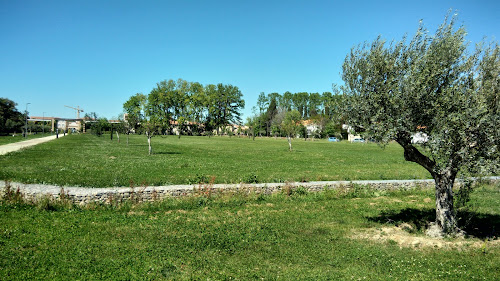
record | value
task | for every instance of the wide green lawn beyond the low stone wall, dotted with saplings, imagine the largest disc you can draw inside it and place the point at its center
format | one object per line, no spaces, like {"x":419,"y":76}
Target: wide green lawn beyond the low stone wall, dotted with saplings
{"x":87,"y":160}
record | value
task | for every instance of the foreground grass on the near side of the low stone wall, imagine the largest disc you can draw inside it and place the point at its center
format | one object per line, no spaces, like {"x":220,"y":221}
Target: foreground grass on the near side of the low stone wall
{"x":247,"y":237}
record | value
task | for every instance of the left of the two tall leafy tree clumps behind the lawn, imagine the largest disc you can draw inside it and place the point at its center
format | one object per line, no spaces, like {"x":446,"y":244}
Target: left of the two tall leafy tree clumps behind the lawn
{"x":190,"y":107}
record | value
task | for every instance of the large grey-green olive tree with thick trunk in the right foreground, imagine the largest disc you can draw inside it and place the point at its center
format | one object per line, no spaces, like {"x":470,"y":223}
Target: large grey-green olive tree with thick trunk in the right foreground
{"x":436,"y":86}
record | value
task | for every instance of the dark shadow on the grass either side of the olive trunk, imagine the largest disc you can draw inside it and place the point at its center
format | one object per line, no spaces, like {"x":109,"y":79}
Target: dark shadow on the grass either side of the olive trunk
{"x":480,"y":225}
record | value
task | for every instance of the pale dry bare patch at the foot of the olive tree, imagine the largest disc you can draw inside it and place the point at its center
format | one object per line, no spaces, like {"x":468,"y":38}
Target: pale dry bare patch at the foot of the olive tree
{"x":401,"y":236}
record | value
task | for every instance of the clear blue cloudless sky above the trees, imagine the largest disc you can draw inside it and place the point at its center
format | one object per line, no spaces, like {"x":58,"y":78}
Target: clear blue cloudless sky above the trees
{"x":96,"y":54}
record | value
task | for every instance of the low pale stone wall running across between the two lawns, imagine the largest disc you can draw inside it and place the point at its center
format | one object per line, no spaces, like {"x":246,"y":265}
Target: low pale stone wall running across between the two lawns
{"x":81,"y":195}
